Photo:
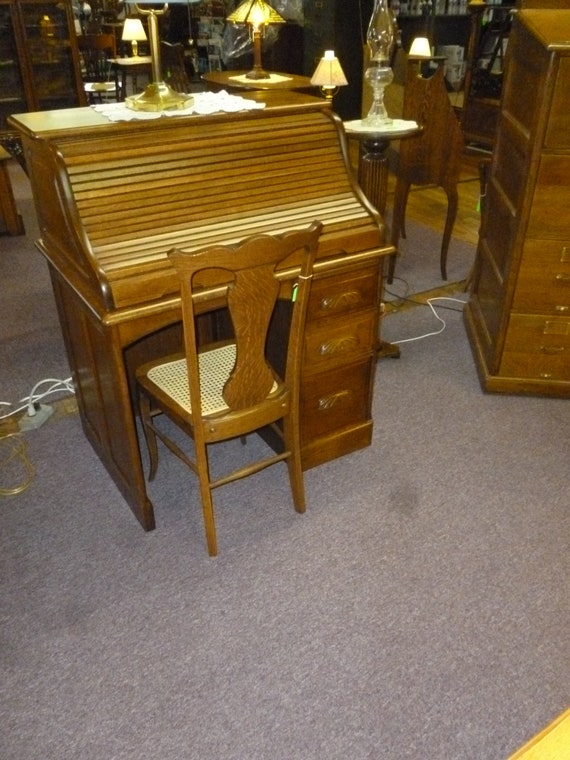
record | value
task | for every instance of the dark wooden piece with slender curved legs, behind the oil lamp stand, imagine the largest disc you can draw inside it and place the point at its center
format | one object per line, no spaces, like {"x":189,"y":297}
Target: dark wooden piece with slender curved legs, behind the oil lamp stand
{"x":433,"y":158}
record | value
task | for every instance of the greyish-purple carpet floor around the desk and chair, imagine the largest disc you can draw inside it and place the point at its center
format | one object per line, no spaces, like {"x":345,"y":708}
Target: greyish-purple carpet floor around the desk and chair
{"x":419,"y":610}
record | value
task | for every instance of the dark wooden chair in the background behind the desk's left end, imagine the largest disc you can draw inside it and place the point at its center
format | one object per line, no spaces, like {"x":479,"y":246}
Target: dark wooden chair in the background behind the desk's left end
{"x":99,"y":81}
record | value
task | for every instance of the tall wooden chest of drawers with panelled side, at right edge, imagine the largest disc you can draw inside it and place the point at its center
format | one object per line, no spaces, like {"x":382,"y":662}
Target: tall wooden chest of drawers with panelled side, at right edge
{"x":518,"y":315}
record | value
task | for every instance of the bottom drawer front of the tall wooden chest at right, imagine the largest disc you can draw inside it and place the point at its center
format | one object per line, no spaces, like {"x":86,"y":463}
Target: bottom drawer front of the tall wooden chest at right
{"x":537,"y":347}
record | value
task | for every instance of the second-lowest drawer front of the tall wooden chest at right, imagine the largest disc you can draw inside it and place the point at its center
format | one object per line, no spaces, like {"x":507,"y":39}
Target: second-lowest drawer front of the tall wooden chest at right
{"x":543,"y":285}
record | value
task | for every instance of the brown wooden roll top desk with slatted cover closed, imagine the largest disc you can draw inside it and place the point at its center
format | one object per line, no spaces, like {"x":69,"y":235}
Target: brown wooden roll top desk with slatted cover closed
{"x":113,"y":198}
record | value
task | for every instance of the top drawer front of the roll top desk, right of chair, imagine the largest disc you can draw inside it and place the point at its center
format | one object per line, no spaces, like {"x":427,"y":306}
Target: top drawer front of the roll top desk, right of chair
{"x":331,"y":296}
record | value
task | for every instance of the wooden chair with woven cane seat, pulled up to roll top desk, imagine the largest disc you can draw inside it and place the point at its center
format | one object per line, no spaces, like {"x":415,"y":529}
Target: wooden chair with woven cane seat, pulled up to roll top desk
{"x":228,"y":389}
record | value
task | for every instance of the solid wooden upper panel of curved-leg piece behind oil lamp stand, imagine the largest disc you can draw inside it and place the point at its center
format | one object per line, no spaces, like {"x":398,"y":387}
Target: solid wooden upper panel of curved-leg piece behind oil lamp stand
{"x":435,"y":156}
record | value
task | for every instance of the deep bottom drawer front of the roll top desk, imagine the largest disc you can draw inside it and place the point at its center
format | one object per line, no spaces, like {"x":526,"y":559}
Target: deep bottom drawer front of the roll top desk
{"x":336,"y":399}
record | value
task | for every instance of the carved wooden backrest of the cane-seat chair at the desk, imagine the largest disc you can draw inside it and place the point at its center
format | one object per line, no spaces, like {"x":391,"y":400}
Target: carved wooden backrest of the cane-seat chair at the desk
{"x":252,"y":292}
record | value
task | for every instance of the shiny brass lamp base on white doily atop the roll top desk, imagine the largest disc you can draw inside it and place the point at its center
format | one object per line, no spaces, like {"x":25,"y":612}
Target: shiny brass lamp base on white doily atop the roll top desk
{"x":158,"y":95}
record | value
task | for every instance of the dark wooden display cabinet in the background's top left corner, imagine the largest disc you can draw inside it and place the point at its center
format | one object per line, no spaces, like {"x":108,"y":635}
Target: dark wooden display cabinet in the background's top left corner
{"x":39,"y":60}
